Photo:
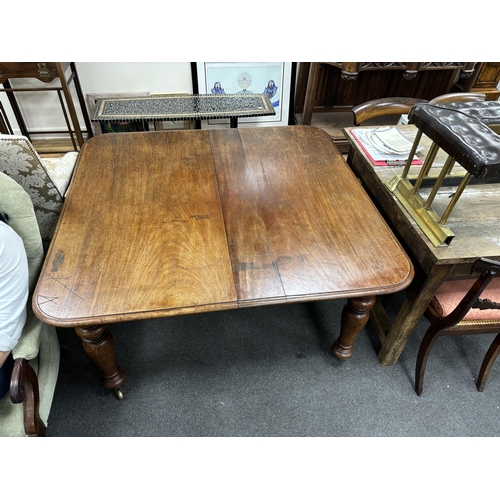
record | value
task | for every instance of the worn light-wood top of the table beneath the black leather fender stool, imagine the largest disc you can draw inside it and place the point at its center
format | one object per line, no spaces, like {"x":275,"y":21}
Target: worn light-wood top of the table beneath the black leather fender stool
{"x":474,"y":220}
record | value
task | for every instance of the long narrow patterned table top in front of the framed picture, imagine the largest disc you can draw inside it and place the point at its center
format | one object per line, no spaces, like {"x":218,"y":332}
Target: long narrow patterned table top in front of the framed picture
{"x":183,"y":107}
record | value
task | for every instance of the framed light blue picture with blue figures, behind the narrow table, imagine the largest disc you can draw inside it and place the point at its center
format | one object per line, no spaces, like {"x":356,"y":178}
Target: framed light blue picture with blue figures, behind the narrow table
{"x":271,"y":78}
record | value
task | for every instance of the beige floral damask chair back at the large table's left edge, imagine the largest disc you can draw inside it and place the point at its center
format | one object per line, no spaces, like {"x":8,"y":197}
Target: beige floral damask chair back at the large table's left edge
{"x":20,"y":161}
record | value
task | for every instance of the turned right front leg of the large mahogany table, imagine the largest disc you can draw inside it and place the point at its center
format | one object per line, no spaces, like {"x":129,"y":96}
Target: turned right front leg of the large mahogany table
{"x":355,"y":315}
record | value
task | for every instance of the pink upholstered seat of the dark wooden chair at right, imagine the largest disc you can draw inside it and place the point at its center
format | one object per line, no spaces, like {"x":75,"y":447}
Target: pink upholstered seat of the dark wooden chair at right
{"x":450,"y":293}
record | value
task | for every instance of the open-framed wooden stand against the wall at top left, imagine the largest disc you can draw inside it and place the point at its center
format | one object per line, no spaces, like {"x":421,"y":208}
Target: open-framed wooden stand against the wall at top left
{"x":47,"y":72}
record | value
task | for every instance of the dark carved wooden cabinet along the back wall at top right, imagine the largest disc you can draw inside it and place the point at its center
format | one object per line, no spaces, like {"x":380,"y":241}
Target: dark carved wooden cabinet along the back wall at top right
{"x":326,"y":87}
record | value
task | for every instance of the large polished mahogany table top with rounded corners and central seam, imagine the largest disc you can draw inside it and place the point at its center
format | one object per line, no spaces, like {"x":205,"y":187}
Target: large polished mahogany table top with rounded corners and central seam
{"x":165,"y":223}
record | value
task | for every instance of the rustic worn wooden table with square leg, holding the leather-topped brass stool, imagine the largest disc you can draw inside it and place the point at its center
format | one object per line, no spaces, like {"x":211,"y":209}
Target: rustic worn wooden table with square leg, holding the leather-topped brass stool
{"x":475,"y":222}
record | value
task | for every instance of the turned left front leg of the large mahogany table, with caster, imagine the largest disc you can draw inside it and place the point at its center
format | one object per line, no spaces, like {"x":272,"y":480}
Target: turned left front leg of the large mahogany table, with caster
{"x":99,"y":345}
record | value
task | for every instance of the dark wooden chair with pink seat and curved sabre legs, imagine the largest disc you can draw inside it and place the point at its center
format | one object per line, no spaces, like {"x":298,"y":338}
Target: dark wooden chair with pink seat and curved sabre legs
{"x":461,"y":307}
